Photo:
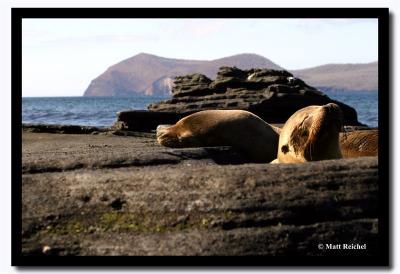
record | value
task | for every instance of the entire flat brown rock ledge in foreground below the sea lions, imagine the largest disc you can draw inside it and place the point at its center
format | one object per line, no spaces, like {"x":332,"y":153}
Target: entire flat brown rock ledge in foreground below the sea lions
{"x":85,"y":194}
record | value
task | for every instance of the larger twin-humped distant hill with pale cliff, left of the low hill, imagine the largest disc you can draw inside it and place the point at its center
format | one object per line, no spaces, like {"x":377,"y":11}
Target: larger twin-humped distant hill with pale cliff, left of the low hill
{"x":153,"y":75}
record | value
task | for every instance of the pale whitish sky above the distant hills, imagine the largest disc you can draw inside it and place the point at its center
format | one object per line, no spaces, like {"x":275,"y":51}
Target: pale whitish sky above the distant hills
{"x":61,"y":56}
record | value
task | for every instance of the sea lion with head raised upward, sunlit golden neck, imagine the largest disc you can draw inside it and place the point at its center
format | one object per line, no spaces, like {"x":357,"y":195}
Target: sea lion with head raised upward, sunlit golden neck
{"x":311,"y":134}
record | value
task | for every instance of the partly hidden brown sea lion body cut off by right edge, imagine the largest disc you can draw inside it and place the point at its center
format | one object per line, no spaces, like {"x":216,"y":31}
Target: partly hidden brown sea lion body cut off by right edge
{"x":359,"y":143}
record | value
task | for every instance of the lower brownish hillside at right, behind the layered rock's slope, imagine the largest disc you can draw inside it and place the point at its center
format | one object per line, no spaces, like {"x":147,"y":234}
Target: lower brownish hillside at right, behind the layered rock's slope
{"x":355,"y":77}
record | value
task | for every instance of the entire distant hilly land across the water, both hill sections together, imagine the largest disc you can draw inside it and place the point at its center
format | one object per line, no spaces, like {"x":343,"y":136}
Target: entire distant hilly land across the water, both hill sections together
{"x":147,"y":74}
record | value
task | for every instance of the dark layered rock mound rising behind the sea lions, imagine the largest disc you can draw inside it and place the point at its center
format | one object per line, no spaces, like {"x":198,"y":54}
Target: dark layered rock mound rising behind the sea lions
{"x":274,"y":95}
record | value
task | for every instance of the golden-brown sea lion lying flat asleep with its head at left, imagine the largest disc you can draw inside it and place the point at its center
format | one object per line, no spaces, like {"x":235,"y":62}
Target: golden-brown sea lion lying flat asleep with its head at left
{"x":244,"y":131}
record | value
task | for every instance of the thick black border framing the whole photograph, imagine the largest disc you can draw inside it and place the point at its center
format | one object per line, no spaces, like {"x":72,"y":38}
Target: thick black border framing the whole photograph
{"x":382,"y":14}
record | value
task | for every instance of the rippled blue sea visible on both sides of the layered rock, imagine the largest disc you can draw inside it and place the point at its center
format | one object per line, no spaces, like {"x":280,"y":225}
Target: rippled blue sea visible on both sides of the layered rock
{"x":101,"y":111}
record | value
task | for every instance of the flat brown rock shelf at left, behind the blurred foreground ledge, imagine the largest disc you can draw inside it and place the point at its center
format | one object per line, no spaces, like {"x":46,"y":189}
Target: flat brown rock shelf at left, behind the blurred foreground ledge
{"x":110,"y":151}
